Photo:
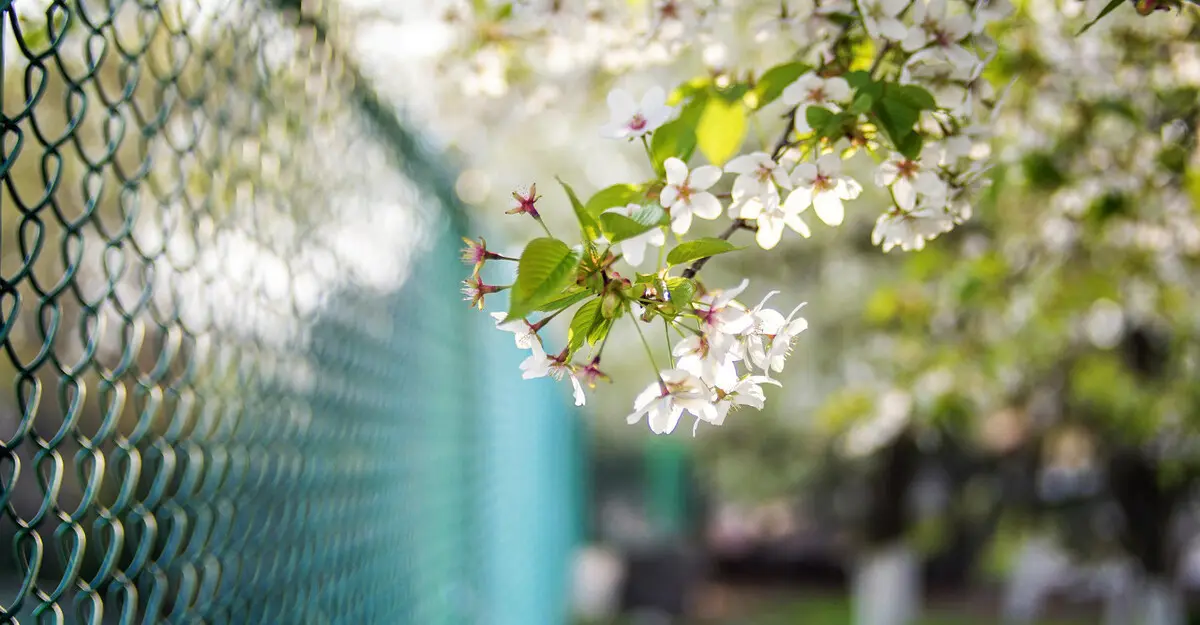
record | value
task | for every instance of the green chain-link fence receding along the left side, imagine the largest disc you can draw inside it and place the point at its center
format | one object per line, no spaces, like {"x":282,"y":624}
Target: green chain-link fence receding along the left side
{"x":244,"y":387}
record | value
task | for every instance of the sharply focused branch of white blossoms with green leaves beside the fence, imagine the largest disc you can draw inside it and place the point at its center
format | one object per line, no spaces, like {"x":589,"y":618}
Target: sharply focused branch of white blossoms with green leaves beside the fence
{"x":920,"y":109}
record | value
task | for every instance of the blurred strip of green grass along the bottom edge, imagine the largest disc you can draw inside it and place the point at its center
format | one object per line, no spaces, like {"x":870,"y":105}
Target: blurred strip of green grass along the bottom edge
{"x":831,"y":611}
